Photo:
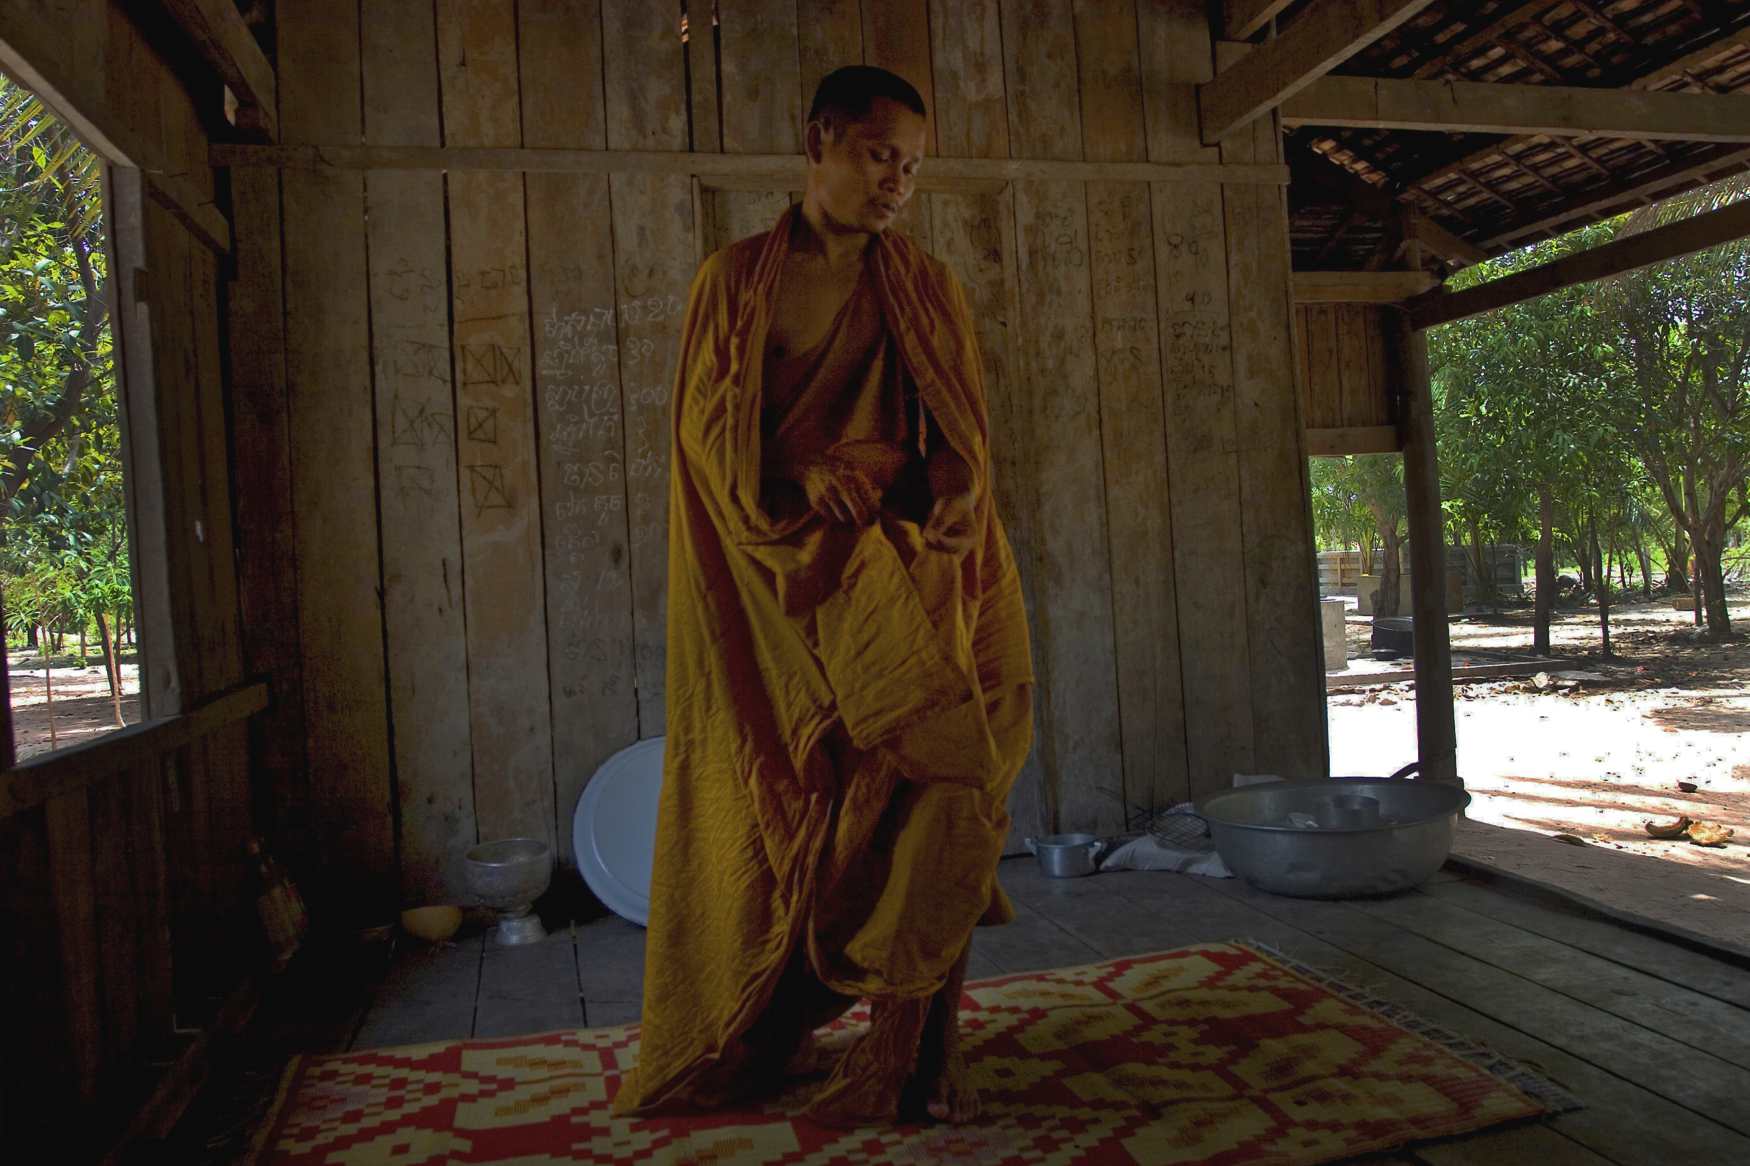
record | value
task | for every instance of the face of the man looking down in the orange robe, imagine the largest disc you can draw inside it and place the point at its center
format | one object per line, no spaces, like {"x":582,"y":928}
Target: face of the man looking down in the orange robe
{"x":864,"y":176}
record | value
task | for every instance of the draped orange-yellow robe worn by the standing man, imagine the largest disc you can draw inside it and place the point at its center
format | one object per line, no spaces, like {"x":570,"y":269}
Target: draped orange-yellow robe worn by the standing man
{"x":848,"y":710}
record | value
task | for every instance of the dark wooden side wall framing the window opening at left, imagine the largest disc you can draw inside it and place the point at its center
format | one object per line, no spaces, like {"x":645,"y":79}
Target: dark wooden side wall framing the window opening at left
{"x":127,"y":915}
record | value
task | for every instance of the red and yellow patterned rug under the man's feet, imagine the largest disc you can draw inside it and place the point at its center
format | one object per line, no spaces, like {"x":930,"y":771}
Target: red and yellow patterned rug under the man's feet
{"x":1221,"y":1053}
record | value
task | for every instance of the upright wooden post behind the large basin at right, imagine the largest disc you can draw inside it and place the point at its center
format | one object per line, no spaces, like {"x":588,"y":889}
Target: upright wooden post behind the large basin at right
{"x":1436,"y":734}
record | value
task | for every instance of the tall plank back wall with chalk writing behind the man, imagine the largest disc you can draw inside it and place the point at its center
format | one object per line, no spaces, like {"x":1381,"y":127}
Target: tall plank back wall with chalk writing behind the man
{"x":1138,"y":346}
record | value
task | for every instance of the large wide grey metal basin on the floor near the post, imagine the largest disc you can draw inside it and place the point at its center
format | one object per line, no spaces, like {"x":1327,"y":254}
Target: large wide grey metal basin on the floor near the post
{"x":1406,"y":845}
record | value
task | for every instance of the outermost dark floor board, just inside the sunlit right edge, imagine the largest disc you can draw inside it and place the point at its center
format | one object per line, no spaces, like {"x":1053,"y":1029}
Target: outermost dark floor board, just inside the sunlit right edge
{"x":1602,"y":938}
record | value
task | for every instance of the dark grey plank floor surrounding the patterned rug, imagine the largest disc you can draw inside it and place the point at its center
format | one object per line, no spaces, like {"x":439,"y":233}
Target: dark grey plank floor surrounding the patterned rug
{"x":1462,"y":957}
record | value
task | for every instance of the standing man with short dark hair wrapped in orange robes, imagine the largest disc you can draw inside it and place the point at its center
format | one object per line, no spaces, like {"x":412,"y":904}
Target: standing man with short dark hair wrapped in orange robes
{"x":850,"y":675}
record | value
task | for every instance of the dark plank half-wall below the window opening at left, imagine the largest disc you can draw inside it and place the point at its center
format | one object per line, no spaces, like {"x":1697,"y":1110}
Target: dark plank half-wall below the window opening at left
{"x":125,"y":922}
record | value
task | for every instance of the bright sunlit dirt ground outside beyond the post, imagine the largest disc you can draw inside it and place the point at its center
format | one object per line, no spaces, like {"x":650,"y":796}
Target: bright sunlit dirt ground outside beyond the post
{"x":1597,"y":752}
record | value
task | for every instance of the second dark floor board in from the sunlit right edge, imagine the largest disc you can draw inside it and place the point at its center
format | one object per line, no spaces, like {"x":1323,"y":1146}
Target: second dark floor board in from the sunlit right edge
{"x":1690,"y":1018}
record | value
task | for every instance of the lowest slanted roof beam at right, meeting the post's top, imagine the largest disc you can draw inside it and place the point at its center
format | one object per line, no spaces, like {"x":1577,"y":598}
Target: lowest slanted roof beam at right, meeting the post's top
{"x":1625,"y":255}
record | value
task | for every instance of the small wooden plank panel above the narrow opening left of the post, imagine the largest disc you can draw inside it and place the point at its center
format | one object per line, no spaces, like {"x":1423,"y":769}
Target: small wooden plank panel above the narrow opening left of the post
{"x":1341,"y":349}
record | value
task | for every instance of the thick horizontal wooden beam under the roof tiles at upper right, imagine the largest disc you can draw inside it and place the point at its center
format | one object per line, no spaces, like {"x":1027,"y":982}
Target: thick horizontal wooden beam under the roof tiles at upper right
{"x":1557,"y":111}
